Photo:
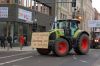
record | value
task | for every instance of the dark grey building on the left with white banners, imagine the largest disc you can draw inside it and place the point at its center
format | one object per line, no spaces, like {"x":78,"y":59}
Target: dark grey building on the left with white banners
{"x":18,"y":17}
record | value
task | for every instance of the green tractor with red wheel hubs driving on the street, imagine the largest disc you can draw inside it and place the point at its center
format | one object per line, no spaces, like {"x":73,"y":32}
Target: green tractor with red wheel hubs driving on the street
{"x":64,"y":36}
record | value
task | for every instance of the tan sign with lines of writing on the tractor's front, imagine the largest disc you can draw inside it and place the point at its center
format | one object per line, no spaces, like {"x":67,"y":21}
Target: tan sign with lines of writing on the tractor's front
{"x":40,"y":40}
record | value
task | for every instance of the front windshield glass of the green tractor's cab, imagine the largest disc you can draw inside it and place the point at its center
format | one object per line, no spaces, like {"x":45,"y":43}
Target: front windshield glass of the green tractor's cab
{"x":59,"y":25}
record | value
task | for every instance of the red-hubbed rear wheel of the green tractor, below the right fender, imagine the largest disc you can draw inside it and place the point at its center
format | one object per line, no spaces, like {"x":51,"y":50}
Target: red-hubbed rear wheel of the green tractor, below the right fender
{"x":82,"y":46}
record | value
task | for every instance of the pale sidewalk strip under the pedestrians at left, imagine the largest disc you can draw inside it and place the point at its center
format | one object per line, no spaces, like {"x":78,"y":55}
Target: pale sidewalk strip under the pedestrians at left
{"x":25,"y":48}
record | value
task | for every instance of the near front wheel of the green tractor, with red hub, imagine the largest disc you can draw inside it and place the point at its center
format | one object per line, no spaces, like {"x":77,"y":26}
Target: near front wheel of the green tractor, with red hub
{"x":61,"y":47}
